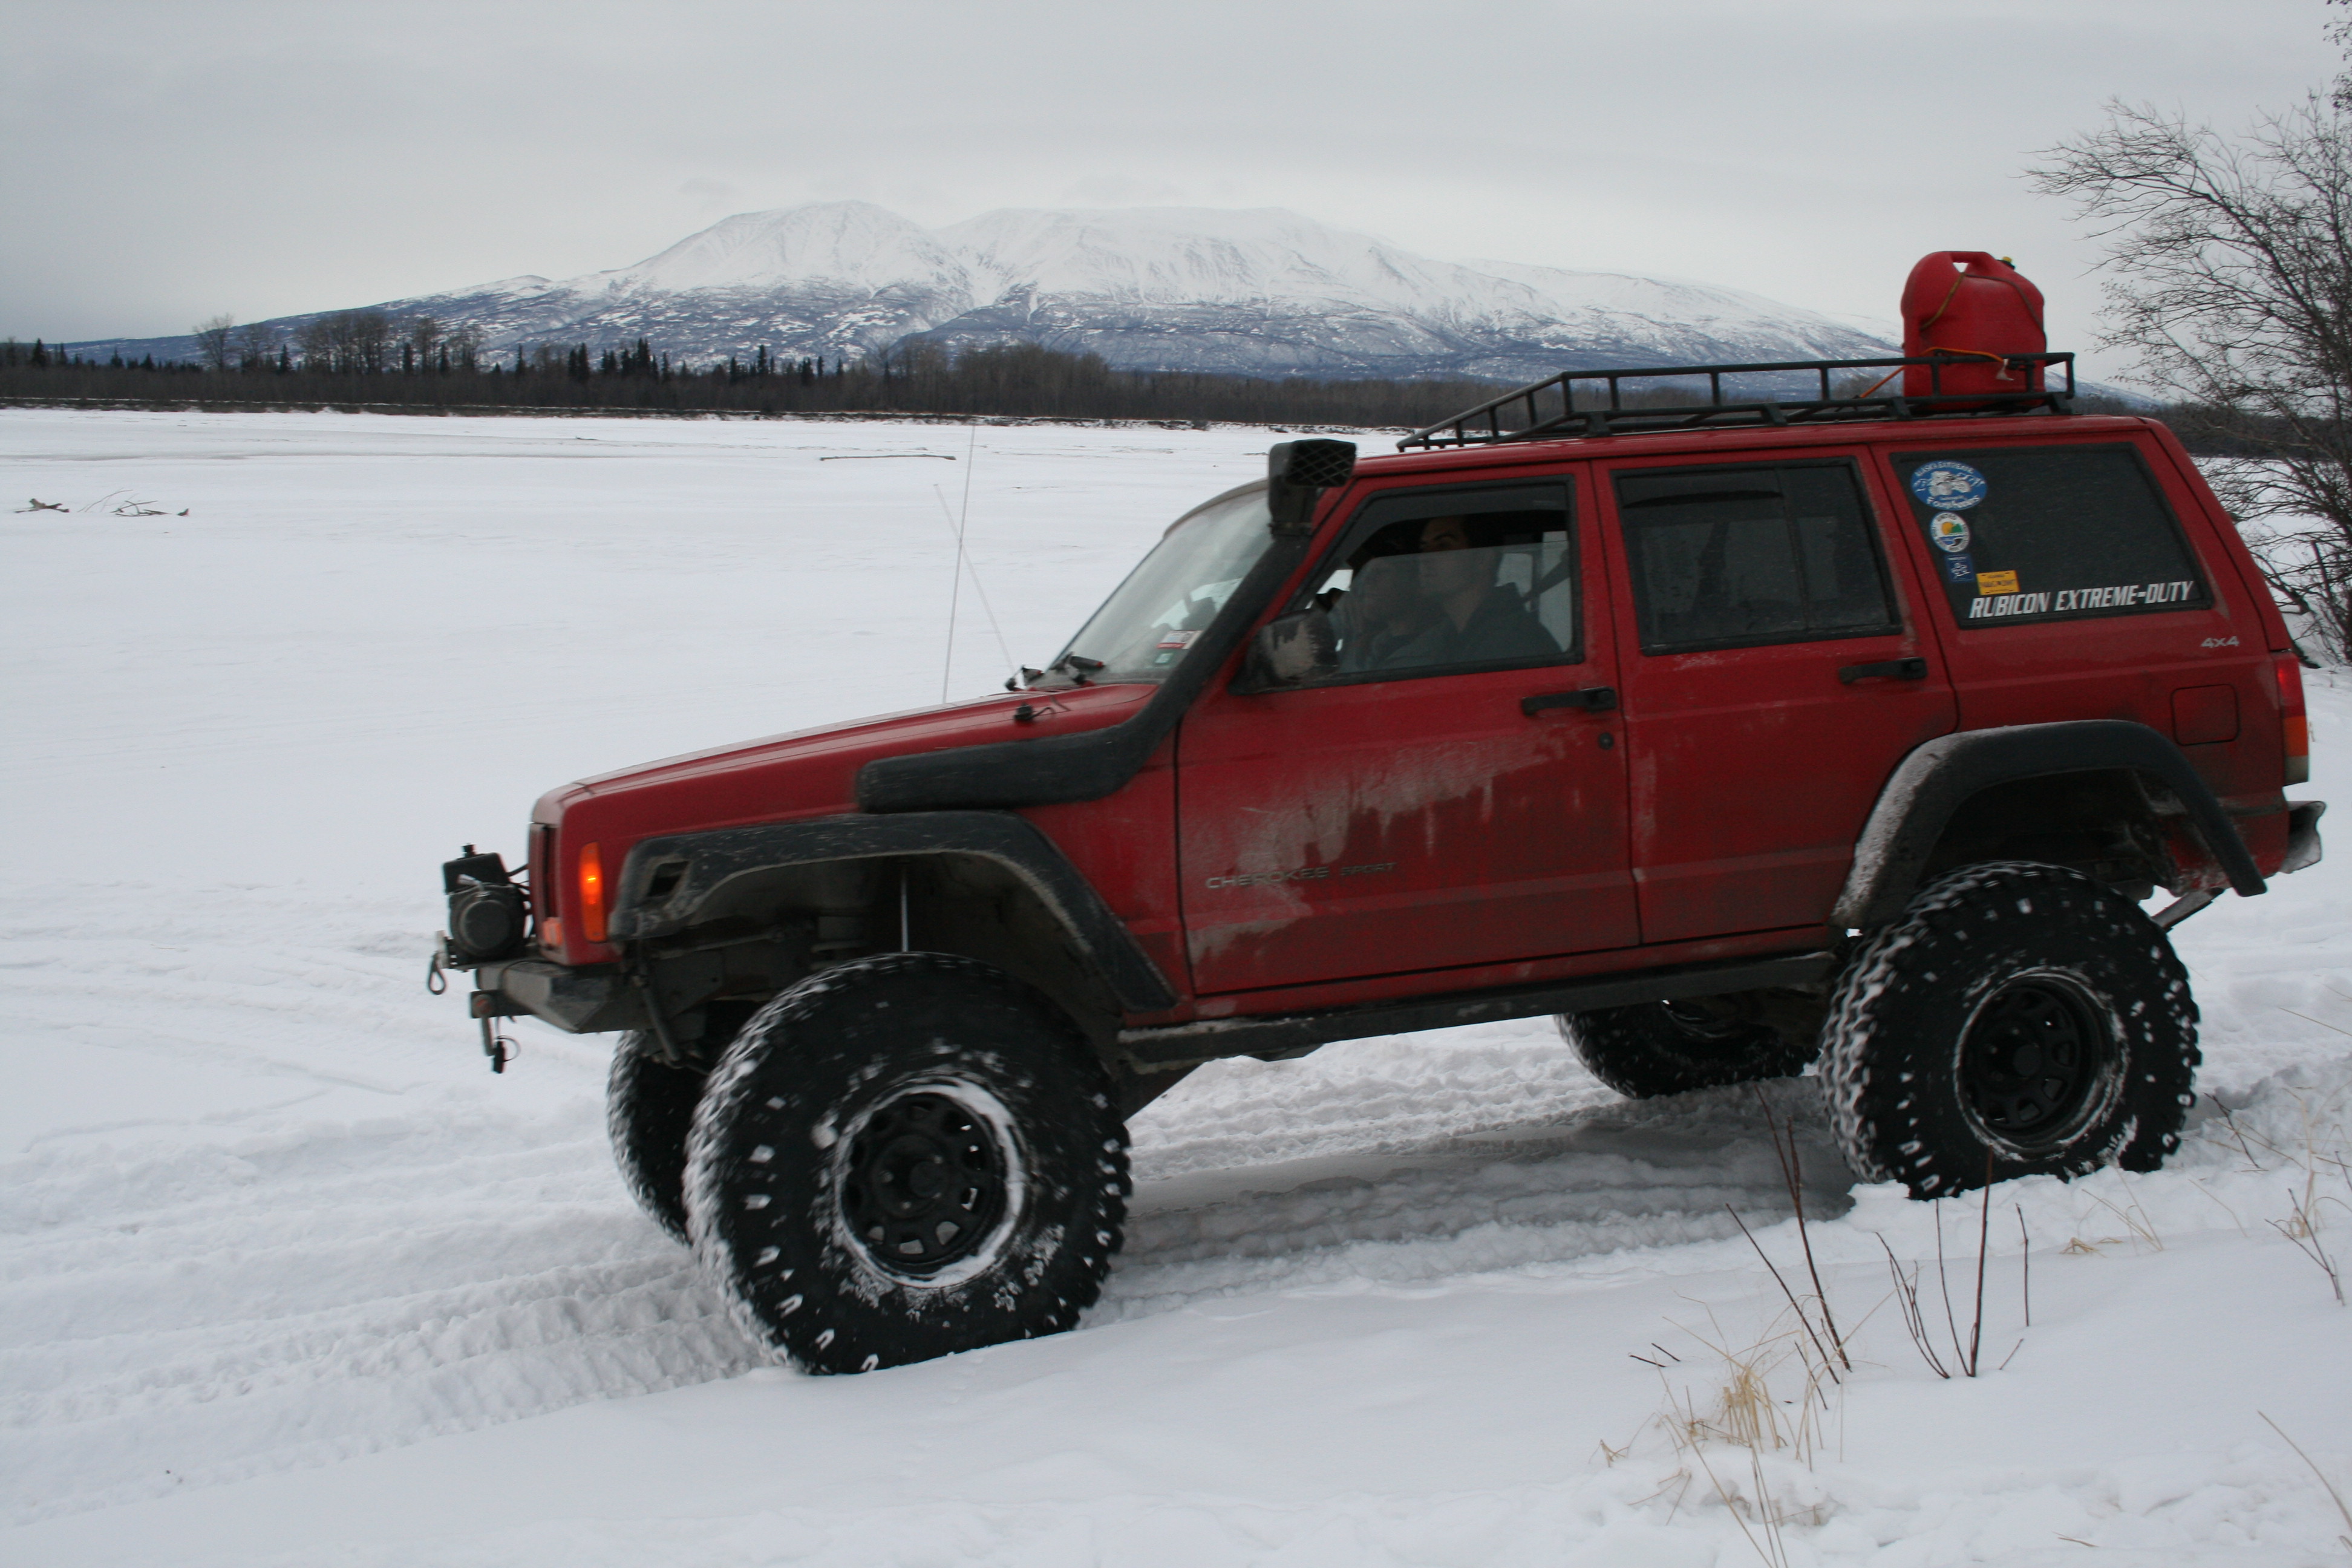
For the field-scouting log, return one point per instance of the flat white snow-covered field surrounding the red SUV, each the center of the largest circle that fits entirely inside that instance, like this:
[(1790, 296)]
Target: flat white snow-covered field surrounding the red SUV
[(290, 1278)]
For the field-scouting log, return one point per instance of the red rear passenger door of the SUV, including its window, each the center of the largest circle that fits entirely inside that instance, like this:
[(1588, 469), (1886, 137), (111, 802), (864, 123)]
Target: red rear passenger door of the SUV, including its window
[(1775, 676)]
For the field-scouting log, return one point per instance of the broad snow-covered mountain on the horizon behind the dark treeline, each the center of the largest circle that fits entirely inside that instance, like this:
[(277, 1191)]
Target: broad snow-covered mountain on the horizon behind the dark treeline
[(1149, 288)]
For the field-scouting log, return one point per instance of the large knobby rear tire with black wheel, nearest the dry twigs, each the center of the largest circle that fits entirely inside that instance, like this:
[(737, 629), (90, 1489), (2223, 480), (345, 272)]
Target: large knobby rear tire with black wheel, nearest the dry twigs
[(2017, 1021)]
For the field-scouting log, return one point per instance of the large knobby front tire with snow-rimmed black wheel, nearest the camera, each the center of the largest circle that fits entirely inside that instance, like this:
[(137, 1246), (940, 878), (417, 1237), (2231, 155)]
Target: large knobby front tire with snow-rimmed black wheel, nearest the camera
[(904, 1158)]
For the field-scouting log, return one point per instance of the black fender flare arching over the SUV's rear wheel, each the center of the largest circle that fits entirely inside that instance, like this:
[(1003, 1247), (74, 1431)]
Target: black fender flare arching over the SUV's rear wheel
[(1937, 777)]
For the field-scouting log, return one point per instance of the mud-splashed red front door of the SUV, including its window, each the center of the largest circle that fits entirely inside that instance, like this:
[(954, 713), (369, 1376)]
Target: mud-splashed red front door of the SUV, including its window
[(1445, 789)]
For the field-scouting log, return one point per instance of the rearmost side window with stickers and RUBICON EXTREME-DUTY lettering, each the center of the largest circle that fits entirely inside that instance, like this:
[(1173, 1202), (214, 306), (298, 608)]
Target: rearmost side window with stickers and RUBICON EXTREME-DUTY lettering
[(2050, 535)]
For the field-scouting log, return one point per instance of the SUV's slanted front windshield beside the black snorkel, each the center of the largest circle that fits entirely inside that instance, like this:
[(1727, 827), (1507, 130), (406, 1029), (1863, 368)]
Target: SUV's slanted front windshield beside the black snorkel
[(1172, 596)]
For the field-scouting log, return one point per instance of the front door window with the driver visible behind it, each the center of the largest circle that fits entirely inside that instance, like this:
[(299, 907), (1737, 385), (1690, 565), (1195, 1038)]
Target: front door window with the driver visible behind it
[(1436, 584)]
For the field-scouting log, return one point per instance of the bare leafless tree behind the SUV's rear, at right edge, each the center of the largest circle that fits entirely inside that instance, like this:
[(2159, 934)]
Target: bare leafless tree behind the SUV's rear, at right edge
[(2233, 290)]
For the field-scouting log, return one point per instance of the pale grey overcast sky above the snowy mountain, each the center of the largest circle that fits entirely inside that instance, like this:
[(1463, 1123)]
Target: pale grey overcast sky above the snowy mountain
[(163, 163)]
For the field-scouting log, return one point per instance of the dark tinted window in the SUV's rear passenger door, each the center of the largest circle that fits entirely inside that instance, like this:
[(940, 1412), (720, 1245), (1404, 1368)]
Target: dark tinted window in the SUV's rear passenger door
[(1746, 556)]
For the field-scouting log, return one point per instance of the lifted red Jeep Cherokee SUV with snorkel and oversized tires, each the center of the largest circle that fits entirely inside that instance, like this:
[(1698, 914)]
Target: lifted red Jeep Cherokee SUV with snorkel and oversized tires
[(1735, 735)]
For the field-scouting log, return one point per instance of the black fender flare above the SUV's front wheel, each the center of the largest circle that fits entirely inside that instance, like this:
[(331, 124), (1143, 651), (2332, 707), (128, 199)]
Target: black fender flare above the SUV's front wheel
[(723, 855)]
